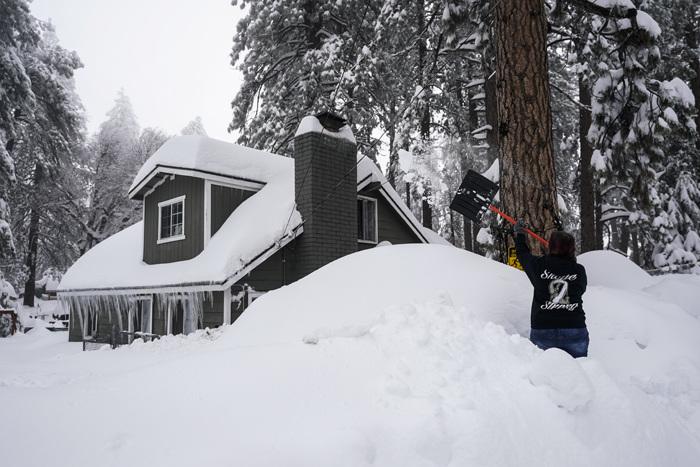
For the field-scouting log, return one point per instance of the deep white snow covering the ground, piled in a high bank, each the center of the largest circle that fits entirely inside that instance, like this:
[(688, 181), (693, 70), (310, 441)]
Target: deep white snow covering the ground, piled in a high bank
[(372, 361)]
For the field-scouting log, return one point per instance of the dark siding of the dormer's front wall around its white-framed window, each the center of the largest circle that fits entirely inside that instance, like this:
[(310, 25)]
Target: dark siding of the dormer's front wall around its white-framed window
[(193, 243)]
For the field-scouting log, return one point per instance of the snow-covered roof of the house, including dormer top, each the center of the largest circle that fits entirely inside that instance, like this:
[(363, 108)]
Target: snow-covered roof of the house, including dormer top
[(245, 239)]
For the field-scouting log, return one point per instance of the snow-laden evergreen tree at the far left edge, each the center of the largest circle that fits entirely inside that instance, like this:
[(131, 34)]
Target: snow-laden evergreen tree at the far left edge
[(41, 124)]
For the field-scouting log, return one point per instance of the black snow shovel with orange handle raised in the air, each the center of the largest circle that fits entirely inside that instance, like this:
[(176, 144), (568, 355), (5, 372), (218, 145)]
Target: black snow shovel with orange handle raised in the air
[(474, 198)]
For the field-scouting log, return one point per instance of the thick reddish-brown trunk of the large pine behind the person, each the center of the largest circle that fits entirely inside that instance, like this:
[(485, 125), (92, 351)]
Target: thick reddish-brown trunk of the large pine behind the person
[(528, 185)]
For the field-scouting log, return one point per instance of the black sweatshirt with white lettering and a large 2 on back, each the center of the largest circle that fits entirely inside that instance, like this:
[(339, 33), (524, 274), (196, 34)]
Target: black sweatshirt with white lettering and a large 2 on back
[(559, 283)]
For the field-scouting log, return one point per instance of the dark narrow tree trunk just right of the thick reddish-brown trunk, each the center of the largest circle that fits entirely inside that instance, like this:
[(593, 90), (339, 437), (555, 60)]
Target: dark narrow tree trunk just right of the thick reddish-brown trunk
[(586, 181)]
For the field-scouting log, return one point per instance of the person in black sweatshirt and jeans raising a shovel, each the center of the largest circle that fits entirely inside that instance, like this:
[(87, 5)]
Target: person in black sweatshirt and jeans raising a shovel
[(557, 317)]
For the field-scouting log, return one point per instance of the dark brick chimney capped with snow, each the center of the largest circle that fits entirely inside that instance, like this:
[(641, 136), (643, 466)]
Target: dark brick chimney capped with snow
[(325, 181)]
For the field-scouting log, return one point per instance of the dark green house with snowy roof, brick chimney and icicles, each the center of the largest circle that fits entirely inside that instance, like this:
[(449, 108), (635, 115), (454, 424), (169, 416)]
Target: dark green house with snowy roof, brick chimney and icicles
[(222, 224)]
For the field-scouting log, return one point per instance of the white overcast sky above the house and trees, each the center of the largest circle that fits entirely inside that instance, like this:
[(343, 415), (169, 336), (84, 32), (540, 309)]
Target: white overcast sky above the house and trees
[(171, 57)]
